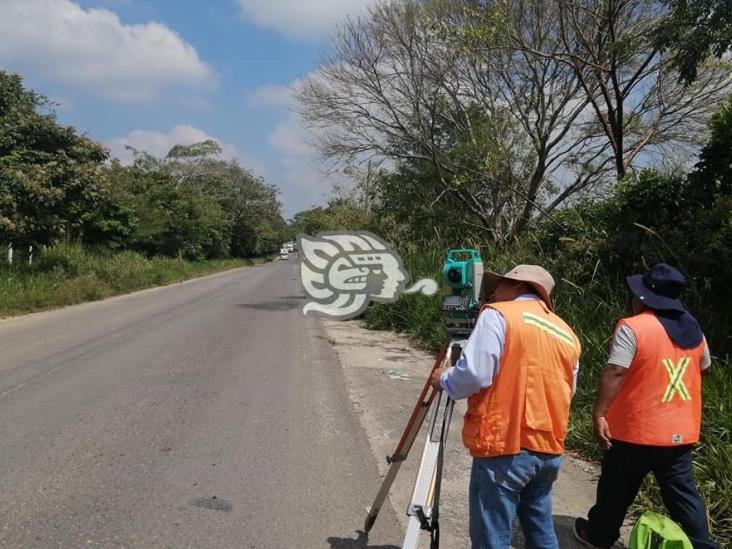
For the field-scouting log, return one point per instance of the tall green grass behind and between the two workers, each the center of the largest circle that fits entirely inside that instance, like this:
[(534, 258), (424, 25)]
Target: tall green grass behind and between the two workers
[(591, 308)]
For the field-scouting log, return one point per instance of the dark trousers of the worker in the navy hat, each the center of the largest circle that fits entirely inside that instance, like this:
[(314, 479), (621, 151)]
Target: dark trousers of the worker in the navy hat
[(624, 467)]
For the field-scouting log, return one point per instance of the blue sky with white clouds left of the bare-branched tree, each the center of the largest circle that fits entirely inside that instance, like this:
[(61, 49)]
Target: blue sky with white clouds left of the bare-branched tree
[(153, 73)]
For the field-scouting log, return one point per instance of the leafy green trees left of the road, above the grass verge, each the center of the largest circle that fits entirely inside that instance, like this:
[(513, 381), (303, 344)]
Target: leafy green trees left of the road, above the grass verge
[(59, 186)]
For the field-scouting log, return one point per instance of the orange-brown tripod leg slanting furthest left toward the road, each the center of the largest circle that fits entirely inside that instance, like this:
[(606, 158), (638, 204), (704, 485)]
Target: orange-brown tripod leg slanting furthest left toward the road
[(405, 443)]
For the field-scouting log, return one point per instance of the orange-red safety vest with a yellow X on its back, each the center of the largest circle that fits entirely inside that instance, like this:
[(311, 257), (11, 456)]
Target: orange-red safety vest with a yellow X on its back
[(659, 402)]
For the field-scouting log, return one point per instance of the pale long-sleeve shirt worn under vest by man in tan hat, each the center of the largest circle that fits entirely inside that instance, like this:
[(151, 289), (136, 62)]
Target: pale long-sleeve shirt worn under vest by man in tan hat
[(481, 358)]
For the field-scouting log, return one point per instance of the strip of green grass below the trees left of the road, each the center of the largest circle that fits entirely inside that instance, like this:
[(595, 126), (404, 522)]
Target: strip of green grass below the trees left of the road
[(68, 274)]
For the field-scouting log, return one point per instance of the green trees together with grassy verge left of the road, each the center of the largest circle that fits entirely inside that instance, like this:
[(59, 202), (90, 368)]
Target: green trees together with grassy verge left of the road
[(77, 226)]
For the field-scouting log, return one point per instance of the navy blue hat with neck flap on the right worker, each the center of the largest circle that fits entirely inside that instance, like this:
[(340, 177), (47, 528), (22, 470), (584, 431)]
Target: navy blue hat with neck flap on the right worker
[(659, 289)]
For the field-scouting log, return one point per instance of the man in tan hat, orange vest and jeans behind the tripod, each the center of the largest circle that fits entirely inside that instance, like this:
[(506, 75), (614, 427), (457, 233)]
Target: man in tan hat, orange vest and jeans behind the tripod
[(518, 371)]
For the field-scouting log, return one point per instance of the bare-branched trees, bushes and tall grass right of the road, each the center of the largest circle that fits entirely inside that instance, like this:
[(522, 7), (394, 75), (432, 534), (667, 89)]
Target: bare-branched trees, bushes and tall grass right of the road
[(593, 138)]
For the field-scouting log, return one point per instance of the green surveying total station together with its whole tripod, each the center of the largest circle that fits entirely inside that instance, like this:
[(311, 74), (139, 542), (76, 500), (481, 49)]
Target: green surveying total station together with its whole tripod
[(462, 276)]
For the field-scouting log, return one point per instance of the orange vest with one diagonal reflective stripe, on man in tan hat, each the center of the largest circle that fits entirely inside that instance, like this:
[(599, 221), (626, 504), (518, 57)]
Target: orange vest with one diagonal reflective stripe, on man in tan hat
[(527, 405)]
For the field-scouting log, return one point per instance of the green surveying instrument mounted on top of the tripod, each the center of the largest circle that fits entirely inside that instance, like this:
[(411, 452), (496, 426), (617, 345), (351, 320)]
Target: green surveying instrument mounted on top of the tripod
[(462, 275)]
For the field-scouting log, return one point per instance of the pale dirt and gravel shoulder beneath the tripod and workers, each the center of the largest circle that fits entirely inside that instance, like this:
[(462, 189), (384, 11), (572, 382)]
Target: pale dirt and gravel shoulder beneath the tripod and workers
[(384, 374)]
